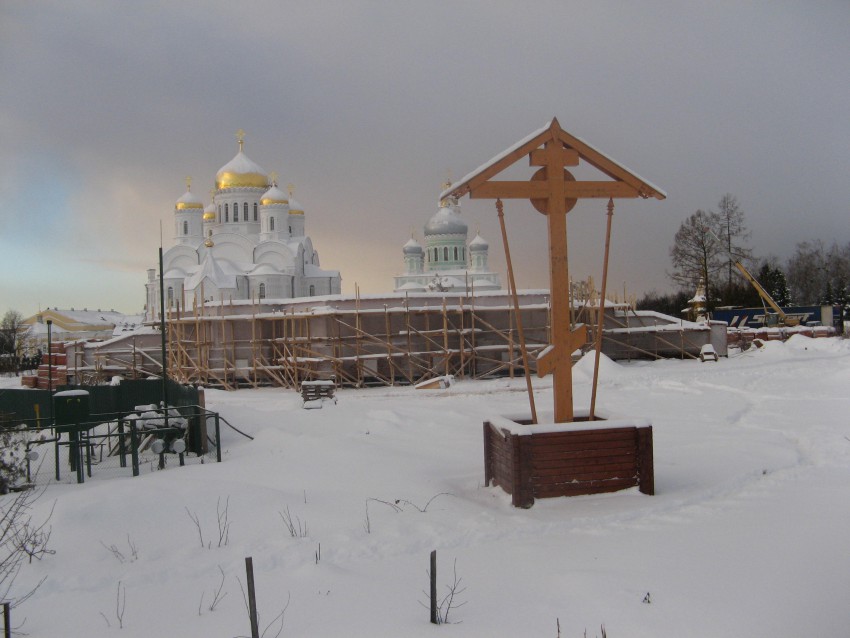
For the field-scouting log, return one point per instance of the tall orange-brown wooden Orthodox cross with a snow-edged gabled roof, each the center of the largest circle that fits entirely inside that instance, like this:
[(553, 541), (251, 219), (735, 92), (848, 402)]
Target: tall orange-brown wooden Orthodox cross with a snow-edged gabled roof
[(554, 192)]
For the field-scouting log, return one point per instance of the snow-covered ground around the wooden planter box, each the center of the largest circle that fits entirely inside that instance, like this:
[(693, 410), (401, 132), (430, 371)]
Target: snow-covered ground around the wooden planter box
[(747, 534)]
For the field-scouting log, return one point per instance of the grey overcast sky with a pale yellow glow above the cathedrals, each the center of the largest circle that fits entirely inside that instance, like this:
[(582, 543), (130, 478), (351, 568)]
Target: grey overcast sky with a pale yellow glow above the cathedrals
[(367, 107)]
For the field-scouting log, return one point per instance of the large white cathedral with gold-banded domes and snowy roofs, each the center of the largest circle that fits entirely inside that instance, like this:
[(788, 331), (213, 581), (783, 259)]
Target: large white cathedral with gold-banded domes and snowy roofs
[(249, 243)]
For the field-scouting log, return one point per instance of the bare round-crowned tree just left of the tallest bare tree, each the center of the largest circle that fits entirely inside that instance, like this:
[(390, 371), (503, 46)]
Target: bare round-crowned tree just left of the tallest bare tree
[(697, 252)]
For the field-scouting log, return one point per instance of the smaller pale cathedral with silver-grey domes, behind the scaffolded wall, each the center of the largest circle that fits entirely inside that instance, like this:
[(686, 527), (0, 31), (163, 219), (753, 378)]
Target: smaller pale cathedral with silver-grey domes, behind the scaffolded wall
[(447, 263)]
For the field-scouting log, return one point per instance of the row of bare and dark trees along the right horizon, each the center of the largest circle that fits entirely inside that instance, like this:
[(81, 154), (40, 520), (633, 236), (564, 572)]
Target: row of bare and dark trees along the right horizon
[(709, 243)]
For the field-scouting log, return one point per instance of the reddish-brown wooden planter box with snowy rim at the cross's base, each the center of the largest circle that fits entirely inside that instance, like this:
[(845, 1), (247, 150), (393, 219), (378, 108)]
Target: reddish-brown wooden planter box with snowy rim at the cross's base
[(546, 461)]
